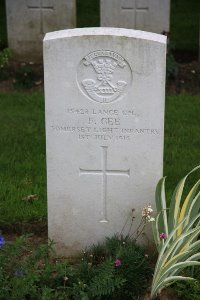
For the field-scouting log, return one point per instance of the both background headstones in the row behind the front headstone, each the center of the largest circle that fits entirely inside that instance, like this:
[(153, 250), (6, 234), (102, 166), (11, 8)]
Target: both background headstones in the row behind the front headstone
[(29, 20)]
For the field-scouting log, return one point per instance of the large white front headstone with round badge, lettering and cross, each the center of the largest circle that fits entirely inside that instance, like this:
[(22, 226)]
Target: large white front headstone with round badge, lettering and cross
[(104, 94)]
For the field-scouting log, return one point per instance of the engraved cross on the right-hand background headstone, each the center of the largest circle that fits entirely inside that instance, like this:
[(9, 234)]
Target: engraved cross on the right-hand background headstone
[(138, 10)]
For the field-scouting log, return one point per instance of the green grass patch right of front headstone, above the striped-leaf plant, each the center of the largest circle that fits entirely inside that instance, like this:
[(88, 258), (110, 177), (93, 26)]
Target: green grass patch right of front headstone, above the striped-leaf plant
[(182, 136)]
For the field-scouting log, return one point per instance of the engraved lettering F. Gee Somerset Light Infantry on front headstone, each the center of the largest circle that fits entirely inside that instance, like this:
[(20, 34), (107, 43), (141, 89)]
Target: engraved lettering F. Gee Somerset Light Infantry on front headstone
[(105, 125)]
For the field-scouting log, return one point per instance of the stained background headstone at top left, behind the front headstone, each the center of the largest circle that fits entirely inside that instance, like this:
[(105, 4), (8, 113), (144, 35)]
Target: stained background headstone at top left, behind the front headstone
[(29, 20)]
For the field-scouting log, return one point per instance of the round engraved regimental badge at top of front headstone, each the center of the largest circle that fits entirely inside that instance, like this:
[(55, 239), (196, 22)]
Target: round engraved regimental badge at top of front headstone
[(104, 76)]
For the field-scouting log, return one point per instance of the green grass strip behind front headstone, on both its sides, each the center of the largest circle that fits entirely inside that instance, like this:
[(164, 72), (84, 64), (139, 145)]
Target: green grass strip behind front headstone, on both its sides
[(22, 150)]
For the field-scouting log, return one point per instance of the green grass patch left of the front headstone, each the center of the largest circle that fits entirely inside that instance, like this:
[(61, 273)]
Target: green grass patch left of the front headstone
[(22, 157)]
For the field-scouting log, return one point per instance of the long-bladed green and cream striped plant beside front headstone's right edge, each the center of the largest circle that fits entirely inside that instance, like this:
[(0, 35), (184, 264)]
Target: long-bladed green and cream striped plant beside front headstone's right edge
[(176, 234)]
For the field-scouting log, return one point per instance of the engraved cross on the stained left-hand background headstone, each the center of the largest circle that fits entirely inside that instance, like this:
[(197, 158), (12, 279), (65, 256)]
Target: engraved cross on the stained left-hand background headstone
[(41, 6)]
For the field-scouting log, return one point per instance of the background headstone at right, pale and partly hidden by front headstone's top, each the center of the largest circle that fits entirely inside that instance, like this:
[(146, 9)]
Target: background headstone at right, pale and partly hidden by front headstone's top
[(147, 15)]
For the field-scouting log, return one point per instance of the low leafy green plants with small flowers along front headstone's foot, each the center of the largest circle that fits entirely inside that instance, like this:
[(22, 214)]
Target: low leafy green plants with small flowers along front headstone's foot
[(116, 269)]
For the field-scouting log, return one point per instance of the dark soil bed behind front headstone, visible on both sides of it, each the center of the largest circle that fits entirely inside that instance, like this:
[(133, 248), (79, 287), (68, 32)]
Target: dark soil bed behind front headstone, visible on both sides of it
[(29, 78)]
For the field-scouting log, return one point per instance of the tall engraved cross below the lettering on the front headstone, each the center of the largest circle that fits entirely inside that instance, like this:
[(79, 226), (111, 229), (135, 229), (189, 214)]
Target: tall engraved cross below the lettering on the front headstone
[(104, 172)]
